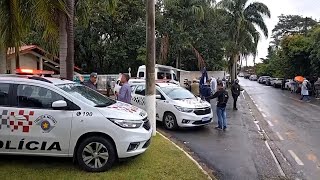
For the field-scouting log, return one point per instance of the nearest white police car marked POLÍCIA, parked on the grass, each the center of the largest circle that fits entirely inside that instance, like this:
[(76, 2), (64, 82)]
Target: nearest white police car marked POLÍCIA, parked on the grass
[(46, 116)]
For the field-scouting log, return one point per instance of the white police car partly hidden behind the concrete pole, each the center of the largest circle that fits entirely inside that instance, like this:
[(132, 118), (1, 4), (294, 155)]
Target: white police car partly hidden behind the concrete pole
[(175, 106)]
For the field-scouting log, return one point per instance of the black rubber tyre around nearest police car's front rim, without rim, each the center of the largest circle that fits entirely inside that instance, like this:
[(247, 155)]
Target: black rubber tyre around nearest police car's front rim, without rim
[(109, 146)]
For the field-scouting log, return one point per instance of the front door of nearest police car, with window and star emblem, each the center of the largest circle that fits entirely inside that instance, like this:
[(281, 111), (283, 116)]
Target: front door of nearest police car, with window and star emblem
[(36, 127)]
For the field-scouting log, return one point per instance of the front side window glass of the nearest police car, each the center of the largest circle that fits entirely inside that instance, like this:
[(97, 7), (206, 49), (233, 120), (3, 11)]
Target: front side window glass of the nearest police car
[(36, 97)]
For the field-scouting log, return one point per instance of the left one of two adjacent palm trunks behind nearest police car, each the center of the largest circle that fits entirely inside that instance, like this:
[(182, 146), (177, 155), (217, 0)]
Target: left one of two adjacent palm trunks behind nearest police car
[(63, 44)]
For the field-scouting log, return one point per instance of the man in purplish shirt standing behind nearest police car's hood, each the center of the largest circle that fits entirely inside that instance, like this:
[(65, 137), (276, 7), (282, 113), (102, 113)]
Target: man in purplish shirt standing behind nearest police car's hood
[(124, 94)]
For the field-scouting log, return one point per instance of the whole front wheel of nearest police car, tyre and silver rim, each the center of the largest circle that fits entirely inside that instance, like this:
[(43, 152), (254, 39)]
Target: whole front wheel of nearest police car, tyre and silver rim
[(96, 154)]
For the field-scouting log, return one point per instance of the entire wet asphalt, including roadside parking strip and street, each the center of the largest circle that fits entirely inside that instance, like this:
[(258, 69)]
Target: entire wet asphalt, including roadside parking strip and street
[(272, 136)]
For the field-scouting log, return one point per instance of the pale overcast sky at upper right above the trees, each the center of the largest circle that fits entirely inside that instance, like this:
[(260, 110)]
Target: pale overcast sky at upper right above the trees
[(308, 8)]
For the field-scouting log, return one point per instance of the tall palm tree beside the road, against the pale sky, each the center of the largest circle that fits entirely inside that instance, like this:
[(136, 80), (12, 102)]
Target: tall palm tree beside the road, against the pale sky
[(243, 18)]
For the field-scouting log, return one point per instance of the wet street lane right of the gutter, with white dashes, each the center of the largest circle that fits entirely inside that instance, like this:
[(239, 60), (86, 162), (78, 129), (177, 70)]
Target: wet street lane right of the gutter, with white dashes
[(295, 124)]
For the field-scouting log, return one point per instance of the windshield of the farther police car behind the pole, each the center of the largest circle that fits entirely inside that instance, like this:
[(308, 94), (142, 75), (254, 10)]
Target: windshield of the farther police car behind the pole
[(177, 93)]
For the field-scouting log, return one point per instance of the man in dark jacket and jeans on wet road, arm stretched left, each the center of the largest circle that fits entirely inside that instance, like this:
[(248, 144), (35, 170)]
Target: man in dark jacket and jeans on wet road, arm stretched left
[(223, 98)]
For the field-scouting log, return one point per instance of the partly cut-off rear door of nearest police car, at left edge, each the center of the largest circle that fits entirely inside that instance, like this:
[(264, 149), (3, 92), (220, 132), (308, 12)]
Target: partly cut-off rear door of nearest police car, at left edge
[(5, 104)]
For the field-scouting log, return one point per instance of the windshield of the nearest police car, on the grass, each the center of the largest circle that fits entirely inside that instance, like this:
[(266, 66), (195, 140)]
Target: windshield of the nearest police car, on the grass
[(87, 95)]
